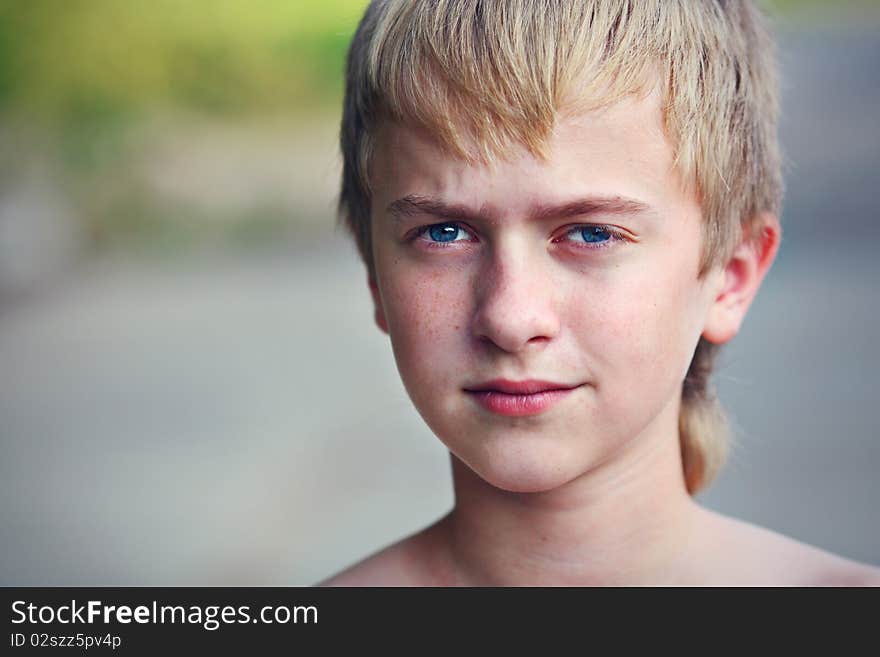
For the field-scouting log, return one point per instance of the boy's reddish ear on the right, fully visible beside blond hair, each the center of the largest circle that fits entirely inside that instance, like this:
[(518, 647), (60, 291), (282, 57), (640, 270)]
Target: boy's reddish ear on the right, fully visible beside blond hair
[(742, 277)]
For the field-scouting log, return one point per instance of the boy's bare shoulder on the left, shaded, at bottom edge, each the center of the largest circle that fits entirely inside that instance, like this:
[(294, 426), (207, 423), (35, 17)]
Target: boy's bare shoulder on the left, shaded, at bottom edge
[(412, 561)]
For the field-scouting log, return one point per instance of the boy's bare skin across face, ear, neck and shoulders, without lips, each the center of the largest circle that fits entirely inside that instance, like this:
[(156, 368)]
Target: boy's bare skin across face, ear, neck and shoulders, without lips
[(588, 491)]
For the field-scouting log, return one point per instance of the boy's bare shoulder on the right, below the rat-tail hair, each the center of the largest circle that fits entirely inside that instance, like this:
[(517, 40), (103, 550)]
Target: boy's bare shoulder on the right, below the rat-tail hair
[(755, 556)]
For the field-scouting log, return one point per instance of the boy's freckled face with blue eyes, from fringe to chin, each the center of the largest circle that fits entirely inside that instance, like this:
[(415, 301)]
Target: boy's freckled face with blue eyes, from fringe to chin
[(542, 314)]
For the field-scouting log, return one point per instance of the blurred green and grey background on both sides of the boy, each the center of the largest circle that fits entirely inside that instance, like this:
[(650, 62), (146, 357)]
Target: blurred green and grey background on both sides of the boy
[(191, 387)]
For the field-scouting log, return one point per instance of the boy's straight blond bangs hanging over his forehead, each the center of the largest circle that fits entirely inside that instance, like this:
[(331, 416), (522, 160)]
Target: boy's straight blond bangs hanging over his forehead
[(481, 76)]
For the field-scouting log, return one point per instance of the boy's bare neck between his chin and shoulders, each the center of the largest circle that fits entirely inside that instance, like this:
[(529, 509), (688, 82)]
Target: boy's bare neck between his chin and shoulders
[(625, 522)]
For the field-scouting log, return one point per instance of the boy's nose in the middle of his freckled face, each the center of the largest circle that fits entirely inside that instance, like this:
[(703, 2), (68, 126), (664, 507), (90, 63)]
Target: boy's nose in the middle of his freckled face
[(515, 306)]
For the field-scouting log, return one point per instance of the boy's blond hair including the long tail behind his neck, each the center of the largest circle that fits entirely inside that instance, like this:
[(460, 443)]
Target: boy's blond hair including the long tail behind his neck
[(498, 73)]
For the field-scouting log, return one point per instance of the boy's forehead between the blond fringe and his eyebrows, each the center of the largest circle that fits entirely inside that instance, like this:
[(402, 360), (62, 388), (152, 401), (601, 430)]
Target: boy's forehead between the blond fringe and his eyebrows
[(618, 150)]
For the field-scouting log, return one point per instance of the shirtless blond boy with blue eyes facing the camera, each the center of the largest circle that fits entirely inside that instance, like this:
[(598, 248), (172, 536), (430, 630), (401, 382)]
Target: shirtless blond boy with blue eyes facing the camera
[(565, 207)]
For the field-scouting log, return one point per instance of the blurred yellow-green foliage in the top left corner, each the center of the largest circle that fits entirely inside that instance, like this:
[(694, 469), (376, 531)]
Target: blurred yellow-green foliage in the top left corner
[(213, 56)]
